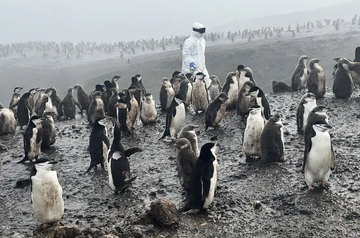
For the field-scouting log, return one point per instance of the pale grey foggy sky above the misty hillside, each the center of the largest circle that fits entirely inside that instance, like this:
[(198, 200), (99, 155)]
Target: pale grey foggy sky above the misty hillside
[(118, 20)]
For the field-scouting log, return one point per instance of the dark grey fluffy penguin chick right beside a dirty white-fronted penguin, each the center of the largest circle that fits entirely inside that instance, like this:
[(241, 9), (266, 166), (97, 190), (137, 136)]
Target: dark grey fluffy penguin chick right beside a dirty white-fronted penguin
[(272, 141)]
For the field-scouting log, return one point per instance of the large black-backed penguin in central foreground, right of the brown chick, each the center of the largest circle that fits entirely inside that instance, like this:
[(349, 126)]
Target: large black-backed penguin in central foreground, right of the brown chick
[(203, 180)]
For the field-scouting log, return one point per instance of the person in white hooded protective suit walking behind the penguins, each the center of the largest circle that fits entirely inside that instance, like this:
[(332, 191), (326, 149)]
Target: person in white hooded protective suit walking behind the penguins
[(193, 52)]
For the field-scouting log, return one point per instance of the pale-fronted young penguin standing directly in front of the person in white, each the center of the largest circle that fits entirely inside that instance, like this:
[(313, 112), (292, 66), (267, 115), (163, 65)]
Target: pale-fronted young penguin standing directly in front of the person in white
[(199, 95)]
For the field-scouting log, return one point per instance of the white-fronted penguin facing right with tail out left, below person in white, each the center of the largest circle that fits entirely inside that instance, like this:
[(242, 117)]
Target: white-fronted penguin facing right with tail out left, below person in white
[(175, 119)]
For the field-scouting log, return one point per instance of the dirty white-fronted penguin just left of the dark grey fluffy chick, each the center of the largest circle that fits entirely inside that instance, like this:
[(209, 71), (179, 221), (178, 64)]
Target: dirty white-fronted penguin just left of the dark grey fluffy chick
[(252, 134)]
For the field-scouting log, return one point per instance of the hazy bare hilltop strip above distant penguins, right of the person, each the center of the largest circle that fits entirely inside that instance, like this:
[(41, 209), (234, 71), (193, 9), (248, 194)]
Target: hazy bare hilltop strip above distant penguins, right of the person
[(343, 11)]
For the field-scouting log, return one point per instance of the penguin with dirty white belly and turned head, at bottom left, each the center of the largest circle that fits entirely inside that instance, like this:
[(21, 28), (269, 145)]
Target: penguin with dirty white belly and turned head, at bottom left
[(46, 192)]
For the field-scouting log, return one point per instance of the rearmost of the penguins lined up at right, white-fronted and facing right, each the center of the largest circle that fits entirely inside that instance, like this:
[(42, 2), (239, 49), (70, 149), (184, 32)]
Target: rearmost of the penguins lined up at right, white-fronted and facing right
[(306, 105)]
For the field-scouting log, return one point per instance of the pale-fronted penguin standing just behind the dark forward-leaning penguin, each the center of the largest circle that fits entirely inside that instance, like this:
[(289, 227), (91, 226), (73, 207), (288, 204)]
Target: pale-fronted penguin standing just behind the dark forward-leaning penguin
[(231, 88)]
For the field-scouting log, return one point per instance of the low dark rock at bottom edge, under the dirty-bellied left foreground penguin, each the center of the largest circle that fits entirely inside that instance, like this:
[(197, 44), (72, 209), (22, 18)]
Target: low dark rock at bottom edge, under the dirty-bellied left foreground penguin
[(69, 231)]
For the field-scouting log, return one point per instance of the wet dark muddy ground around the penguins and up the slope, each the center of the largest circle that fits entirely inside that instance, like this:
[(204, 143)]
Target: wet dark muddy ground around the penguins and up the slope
[(288, 209)]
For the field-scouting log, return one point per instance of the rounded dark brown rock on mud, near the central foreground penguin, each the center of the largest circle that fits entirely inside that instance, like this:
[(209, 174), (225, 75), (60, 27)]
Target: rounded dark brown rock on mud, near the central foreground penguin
[(164, 213)]
